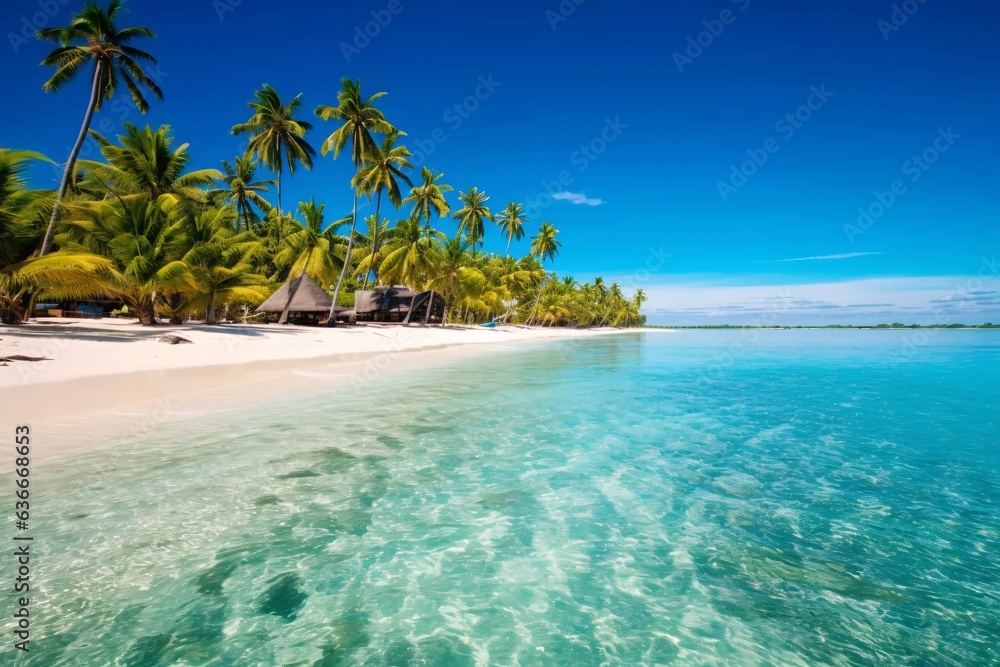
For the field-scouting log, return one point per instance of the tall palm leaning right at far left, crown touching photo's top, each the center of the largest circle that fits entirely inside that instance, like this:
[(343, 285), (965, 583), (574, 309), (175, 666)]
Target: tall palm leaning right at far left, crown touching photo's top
[(107, 46)]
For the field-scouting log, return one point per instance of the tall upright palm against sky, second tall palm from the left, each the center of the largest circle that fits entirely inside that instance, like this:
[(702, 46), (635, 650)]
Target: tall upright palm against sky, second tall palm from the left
[(277, 136)]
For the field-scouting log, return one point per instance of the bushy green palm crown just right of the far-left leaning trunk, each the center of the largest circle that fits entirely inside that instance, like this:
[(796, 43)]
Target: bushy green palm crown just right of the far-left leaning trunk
[(145, 165)]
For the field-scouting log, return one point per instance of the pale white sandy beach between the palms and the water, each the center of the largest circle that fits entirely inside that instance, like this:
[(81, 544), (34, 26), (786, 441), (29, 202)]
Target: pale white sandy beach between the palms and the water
[(116, 376)]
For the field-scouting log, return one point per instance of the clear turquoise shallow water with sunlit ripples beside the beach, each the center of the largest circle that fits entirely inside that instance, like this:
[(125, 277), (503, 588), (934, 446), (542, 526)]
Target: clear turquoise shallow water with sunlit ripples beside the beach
[(689, 499)]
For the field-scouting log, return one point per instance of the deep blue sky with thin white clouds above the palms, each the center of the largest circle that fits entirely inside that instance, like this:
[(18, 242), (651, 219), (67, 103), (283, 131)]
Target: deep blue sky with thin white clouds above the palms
[(693, 149)]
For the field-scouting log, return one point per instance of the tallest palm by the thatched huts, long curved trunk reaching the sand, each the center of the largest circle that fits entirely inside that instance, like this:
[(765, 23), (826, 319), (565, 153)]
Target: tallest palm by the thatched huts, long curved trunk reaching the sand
[(360, 118)]
